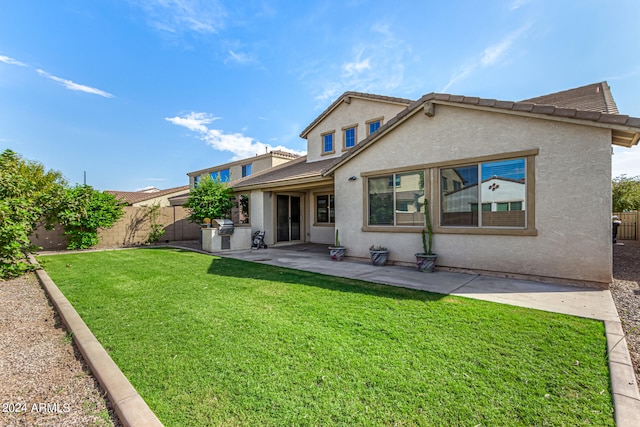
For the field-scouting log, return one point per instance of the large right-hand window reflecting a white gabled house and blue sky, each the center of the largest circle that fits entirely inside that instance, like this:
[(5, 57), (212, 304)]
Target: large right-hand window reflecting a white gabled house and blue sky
[(499, 188)]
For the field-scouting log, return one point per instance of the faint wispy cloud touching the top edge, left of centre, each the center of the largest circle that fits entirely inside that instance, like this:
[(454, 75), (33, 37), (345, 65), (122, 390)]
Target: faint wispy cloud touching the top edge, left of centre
[(173, 16)]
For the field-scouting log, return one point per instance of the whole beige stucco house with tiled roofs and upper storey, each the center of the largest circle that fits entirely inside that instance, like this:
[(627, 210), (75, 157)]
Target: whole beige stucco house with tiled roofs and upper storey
[(516, 188)]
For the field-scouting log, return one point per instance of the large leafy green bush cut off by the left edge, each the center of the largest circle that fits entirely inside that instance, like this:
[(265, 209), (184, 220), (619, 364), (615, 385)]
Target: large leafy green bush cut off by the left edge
[(29, 196)]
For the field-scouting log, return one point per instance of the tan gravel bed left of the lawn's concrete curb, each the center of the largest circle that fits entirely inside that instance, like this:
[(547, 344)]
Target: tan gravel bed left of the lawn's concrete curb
[(43, 380)]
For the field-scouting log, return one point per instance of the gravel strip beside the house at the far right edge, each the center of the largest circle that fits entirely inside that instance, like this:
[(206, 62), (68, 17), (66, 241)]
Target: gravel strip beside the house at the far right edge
[(626, 295)]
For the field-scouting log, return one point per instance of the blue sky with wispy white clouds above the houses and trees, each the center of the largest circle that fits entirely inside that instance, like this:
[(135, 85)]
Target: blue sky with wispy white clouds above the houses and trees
[(139, 92)]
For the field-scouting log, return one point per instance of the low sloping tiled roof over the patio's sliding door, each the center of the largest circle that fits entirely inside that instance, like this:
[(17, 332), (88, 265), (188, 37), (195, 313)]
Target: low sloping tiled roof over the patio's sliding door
[(295, 171)]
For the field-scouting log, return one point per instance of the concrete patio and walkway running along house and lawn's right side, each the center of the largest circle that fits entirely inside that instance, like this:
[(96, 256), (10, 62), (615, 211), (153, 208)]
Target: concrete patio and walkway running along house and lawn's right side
[(582, 302)]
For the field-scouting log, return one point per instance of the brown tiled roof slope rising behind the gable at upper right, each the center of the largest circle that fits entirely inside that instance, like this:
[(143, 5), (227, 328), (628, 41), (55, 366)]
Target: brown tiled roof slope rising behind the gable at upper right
[(593, 97)]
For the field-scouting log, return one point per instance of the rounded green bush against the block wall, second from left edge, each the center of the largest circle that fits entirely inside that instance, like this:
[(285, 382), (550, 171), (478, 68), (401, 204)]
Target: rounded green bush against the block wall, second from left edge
[(84, 211)]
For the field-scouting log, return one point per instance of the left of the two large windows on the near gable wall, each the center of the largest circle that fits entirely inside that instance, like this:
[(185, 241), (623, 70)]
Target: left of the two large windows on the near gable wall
[(396, 199)]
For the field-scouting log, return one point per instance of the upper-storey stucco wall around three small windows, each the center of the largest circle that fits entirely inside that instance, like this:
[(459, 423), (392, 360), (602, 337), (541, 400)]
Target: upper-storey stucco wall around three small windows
[(358, 112)]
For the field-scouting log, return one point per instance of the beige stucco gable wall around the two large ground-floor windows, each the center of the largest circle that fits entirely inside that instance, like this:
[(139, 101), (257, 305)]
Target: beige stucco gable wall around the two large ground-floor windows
[(572, 180)]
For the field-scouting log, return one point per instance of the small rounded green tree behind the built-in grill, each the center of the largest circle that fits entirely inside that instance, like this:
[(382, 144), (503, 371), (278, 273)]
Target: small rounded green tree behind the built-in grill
[(210, 199)]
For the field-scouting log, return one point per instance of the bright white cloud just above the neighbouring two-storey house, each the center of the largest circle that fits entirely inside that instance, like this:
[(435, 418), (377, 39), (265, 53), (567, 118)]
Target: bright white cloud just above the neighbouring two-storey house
[(240, 145)]
